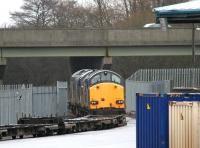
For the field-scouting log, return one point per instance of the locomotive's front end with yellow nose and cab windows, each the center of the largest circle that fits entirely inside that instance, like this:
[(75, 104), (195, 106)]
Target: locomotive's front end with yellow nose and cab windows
[(106, 92)]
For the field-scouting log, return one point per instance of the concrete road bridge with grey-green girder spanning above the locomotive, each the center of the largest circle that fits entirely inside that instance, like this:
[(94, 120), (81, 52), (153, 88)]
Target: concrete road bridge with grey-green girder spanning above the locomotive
[(96, 43)]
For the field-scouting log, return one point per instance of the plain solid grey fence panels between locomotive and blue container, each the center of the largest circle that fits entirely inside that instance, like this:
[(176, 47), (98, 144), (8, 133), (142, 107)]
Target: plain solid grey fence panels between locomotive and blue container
[(133, 87)]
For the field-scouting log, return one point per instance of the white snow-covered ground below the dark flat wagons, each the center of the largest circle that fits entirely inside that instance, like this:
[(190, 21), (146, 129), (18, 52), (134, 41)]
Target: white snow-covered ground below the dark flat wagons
[(122, 137)]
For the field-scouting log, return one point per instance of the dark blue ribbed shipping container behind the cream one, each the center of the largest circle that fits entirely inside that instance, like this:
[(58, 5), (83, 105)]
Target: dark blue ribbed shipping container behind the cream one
[(152, 118)]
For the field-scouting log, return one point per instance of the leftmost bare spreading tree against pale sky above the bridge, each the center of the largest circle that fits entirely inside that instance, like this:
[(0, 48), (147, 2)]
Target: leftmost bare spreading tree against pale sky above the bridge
[(35, 13)]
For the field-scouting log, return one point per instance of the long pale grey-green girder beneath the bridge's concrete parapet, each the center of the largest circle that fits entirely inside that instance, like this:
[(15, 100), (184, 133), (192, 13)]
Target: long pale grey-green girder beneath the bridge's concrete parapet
[(170, 50)]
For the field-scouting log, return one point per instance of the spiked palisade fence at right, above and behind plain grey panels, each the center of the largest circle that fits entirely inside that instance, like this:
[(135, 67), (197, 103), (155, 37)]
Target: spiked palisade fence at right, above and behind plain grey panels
[(181, 77)]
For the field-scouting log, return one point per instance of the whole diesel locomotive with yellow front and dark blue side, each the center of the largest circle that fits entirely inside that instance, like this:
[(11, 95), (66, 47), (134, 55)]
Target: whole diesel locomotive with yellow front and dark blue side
[(96, 92)]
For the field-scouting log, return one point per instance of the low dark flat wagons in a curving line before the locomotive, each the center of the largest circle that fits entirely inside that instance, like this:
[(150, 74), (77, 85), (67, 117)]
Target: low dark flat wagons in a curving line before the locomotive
[(39, 127)]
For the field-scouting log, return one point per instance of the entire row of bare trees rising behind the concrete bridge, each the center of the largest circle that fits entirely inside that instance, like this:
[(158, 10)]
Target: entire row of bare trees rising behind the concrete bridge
[(102, 13)]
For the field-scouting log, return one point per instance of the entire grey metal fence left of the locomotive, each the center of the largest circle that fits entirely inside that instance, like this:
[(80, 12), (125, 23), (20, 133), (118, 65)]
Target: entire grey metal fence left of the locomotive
[(27, 101)]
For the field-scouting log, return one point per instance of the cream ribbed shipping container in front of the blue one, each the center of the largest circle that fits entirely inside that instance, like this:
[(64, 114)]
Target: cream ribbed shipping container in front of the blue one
[(184, 124)]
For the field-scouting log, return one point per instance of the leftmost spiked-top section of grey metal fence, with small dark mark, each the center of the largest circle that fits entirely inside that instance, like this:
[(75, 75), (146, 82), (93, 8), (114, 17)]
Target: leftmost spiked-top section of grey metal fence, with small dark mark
[(15, 101)]
